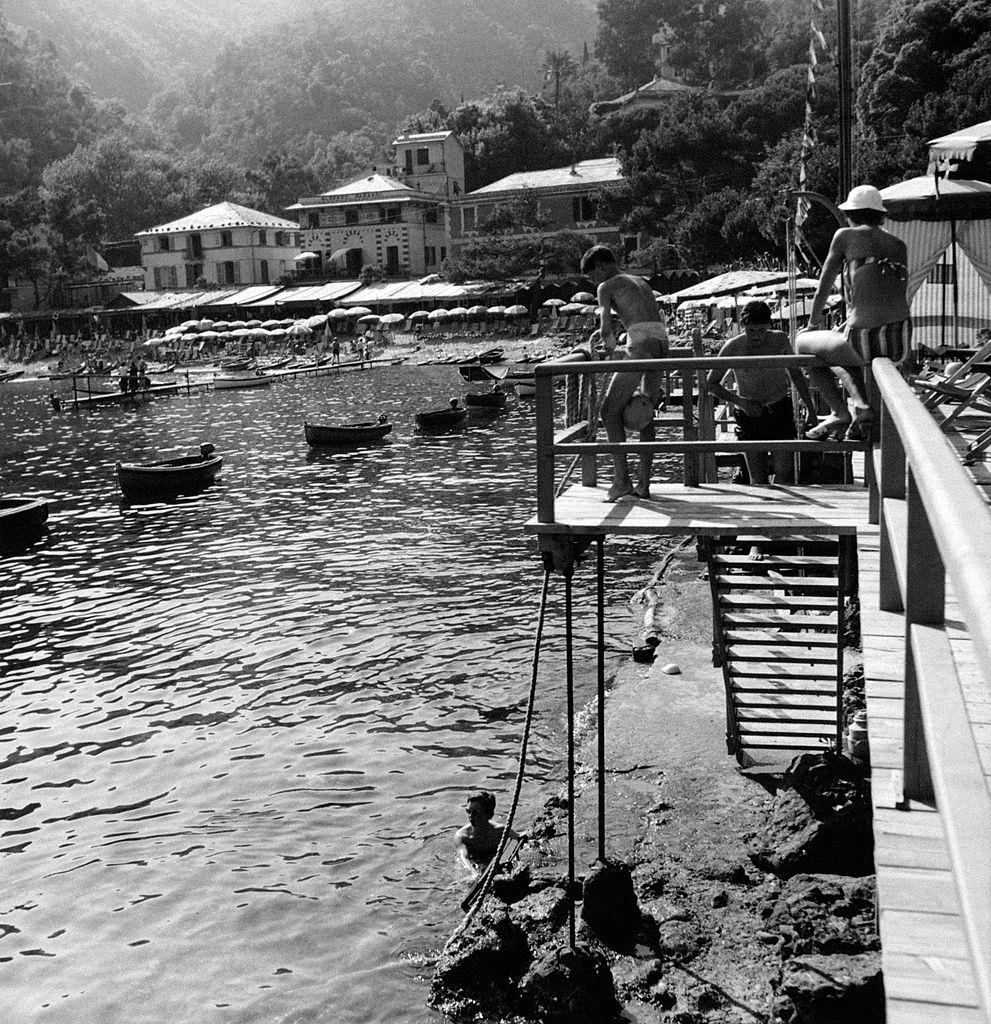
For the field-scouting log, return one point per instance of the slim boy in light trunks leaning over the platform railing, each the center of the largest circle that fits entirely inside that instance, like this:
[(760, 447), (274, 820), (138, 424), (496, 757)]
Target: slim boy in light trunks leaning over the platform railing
[(630, 399)]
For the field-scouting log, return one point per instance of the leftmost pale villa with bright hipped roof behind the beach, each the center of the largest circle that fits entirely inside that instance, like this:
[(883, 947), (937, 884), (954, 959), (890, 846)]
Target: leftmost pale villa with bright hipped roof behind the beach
[(226, 244)]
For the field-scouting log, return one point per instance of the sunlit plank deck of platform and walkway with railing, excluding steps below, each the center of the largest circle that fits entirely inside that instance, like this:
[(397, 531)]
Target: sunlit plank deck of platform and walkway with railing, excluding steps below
[(925, 587)]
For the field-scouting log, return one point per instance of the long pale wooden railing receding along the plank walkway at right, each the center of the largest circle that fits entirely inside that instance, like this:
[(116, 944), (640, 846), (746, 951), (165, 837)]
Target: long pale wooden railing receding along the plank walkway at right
[(936, 529)]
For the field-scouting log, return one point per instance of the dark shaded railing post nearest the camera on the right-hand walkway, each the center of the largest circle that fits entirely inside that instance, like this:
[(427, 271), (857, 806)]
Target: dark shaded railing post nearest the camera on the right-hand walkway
[(925, 605)]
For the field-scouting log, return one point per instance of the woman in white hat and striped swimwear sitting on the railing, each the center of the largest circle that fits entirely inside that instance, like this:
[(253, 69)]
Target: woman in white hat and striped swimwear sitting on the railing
[(875, 265)]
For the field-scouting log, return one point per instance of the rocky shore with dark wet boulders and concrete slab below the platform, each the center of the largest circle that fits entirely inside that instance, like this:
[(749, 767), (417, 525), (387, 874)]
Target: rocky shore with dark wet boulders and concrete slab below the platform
[(728, 897)]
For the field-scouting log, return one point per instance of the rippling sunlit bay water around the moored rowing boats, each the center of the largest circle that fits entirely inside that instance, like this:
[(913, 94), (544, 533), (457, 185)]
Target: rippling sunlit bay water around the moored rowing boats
[(238, 730)]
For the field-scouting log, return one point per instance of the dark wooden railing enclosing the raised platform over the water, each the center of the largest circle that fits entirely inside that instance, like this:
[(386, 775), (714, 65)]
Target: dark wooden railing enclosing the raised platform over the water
[(699, 443)]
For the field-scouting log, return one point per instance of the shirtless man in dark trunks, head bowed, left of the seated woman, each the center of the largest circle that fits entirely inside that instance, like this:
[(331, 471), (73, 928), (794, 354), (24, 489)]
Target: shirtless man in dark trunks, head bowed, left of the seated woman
[(763, 396)]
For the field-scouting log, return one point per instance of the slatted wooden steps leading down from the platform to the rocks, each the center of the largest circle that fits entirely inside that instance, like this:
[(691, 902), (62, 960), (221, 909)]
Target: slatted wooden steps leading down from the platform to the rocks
[(779, 635)]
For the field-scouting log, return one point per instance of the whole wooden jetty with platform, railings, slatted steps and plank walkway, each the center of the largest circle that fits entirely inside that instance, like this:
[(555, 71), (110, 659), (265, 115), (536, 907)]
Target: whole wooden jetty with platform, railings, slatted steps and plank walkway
[(911, 534)]
